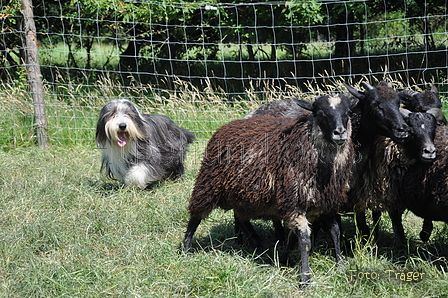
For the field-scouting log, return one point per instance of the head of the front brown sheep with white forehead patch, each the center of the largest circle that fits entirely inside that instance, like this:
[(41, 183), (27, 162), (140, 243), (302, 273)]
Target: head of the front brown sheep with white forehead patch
[(331, 115)]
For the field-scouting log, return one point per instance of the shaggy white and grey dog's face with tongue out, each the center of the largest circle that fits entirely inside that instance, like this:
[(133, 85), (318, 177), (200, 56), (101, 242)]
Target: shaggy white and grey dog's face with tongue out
[(119, 122)]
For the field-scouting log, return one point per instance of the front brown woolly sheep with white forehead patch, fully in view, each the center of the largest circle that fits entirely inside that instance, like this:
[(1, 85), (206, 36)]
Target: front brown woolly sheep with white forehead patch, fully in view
[(277, 168)]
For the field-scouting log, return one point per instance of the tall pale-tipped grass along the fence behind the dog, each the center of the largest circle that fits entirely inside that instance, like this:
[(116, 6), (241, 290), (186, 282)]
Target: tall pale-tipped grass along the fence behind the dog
[(72, 110)]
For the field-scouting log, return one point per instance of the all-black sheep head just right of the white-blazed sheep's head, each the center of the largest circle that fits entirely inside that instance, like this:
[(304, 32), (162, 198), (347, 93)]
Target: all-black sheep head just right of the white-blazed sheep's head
[(380, 110)]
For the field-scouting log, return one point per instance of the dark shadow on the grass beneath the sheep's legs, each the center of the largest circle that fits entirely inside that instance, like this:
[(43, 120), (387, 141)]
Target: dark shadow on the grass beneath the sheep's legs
[(222, 237)]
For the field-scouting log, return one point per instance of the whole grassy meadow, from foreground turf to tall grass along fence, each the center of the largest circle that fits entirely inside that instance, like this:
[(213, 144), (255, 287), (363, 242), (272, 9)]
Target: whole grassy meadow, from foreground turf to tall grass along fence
[(68, 231)]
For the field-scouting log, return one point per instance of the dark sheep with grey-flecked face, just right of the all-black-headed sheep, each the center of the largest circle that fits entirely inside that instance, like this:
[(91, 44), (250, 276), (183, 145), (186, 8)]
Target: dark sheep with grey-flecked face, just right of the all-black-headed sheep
[(388, 163)]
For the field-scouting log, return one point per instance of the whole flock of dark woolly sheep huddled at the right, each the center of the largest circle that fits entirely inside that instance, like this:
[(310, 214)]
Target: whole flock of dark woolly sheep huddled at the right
[(299, 163)]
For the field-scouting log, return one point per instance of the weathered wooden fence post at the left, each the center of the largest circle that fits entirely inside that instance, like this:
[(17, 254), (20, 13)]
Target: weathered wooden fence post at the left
[(34, 74)]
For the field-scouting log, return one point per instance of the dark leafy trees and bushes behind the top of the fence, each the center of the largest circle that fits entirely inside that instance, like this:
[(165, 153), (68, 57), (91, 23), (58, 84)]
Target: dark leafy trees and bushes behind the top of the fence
[(191, 38)]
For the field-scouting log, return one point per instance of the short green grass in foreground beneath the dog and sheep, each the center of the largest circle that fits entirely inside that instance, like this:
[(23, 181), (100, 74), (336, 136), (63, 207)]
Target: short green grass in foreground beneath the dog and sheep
[(68, 231)]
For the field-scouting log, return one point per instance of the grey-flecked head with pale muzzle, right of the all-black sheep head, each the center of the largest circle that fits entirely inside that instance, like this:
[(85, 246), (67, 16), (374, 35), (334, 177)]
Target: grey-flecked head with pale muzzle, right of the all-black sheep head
[(422, 133)]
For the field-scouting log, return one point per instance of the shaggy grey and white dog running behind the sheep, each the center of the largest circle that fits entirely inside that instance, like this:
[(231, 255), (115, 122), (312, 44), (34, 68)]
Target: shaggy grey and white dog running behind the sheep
[(140, 149)]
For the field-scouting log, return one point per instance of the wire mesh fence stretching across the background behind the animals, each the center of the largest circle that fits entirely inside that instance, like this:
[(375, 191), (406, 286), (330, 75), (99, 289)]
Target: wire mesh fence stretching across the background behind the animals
[(205, 63)]
